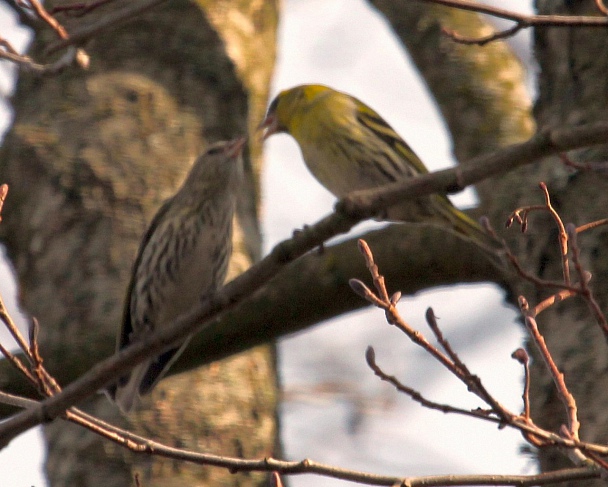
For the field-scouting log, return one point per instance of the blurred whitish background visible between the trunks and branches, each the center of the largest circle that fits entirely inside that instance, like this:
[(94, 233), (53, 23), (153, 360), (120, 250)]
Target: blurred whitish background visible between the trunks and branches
[(334, 410)]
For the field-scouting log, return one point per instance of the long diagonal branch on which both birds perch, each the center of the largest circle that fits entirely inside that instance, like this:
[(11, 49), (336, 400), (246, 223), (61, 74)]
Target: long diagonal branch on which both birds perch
[(349, 212)]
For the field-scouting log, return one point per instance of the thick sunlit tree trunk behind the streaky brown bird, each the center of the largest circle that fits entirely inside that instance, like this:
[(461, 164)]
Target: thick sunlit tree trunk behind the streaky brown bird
[(89, 159)]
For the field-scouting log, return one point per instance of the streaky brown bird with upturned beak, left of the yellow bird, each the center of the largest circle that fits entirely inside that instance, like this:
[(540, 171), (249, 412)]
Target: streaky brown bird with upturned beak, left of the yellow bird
[(182, 259)]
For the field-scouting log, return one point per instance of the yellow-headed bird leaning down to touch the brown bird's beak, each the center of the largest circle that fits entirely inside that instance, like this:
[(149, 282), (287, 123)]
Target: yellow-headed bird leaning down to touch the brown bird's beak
[(347, 146)]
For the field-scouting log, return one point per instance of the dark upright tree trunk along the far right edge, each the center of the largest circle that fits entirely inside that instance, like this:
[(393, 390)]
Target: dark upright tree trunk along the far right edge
[(573, 88)]
